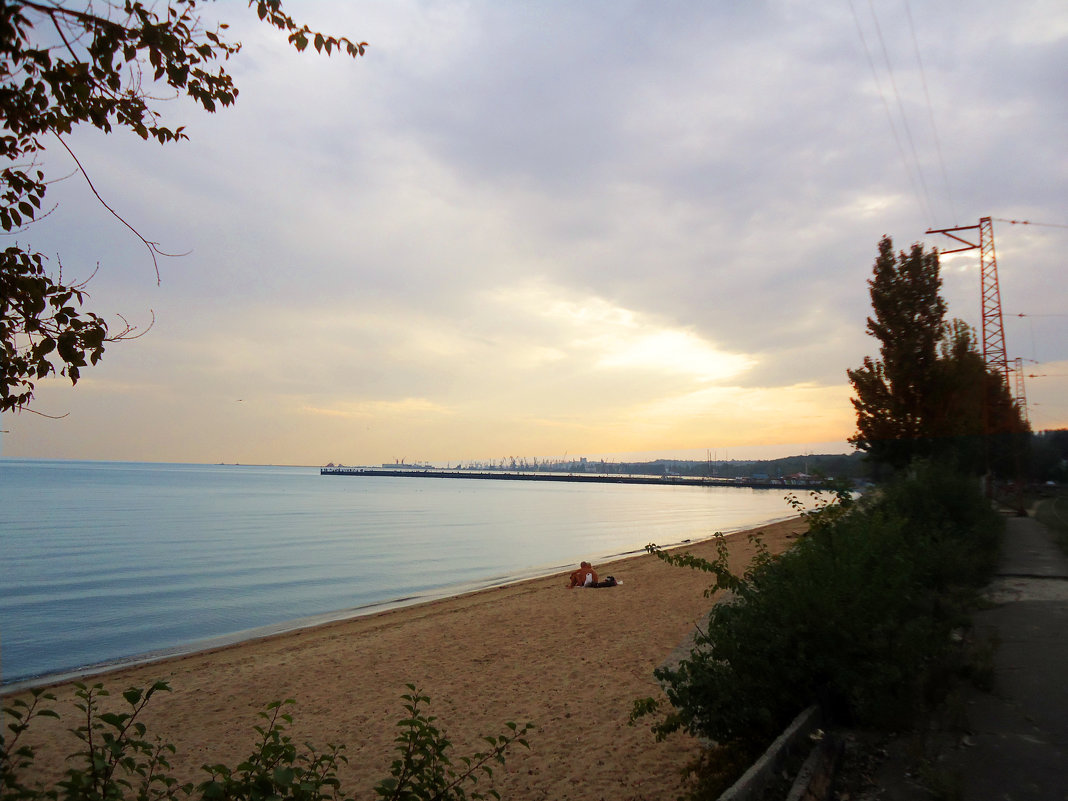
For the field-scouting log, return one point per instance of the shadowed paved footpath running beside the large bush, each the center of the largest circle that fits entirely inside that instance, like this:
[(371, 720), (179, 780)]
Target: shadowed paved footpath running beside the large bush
[(1018, 746)]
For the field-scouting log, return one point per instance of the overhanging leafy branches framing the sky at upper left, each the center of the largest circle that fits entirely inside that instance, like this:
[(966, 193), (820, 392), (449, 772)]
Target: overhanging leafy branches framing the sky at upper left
[(64, 66)]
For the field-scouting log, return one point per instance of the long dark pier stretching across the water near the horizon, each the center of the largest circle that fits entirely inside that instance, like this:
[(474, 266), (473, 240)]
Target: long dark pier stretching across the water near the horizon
[(683, 481)]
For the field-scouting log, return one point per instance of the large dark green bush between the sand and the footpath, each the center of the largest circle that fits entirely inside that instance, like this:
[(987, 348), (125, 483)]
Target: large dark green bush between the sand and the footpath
[(855, 618)]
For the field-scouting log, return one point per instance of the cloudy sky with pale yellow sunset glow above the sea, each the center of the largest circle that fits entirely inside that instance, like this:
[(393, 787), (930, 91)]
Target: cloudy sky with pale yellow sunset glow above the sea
[(612, 230)]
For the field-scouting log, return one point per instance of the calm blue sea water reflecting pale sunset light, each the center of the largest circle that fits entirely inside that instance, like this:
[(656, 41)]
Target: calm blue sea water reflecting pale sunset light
[(111, 562)]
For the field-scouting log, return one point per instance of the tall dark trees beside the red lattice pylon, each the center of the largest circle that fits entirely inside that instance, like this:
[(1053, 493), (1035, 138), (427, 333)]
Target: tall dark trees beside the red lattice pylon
[(930, 395)]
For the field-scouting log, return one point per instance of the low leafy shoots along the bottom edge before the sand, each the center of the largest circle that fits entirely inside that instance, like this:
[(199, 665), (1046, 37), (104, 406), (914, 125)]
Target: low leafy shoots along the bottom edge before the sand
[(119, 763)]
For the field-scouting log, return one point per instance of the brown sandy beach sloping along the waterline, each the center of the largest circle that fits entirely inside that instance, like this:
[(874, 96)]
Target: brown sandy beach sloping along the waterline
[(571, 662)]
